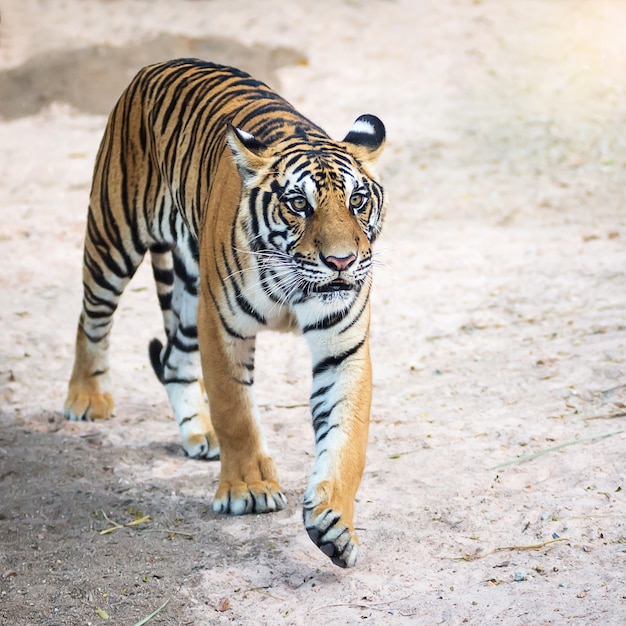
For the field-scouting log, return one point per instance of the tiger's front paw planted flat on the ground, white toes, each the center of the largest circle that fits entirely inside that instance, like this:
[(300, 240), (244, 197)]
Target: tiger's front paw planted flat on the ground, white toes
[(240, 498)]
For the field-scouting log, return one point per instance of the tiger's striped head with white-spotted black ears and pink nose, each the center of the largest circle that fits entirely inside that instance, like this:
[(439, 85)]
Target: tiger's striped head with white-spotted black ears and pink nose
[(311, 210)]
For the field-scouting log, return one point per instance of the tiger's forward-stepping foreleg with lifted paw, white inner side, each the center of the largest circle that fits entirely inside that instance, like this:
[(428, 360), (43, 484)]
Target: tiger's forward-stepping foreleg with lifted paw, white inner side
[(340, 406)]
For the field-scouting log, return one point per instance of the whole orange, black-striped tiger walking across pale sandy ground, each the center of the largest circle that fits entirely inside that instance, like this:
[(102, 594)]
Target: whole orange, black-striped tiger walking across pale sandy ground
[(254, 219)]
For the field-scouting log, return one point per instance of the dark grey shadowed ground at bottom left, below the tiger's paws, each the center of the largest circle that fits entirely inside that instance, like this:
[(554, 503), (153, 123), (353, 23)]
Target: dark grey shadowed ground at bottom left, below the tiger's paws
[(59, 491)]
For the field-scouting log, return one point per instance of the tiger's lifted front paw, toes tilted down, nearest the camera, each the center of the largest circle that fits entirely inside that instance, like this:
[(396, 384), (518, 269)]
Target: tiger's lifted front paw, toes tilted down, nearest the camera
[(332, 534)]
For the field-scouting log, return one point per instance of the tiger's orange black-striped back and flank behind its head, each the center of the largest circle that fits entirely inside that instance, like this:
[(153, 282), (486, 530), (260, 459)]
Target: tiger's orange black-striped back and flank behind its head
[(169, 130)]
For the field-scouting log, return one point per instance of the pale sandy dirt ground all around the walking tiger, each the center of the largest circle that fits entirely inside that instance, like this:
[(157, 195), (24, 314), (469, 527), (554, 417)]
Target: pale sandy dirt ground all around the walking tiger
[(495, 490)]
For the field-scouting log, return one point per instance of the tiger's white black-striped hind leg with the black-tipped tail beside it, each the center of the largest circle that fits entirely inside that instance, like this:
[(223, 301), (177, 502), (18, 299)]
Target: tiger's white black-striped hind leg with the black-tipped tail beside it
[(177, 364)]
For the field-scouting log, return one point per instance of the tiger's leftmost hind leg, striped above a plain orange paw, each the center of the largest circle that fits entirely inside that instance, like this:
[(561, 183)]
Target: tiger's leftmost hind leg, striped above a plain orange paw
[(107, 269)]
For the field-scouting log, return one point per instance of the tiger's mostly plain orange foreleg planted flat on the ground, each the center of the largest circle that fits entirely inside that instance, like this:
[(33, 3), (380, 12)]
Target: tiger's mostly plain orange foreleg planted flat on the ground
[(248, 477)]
